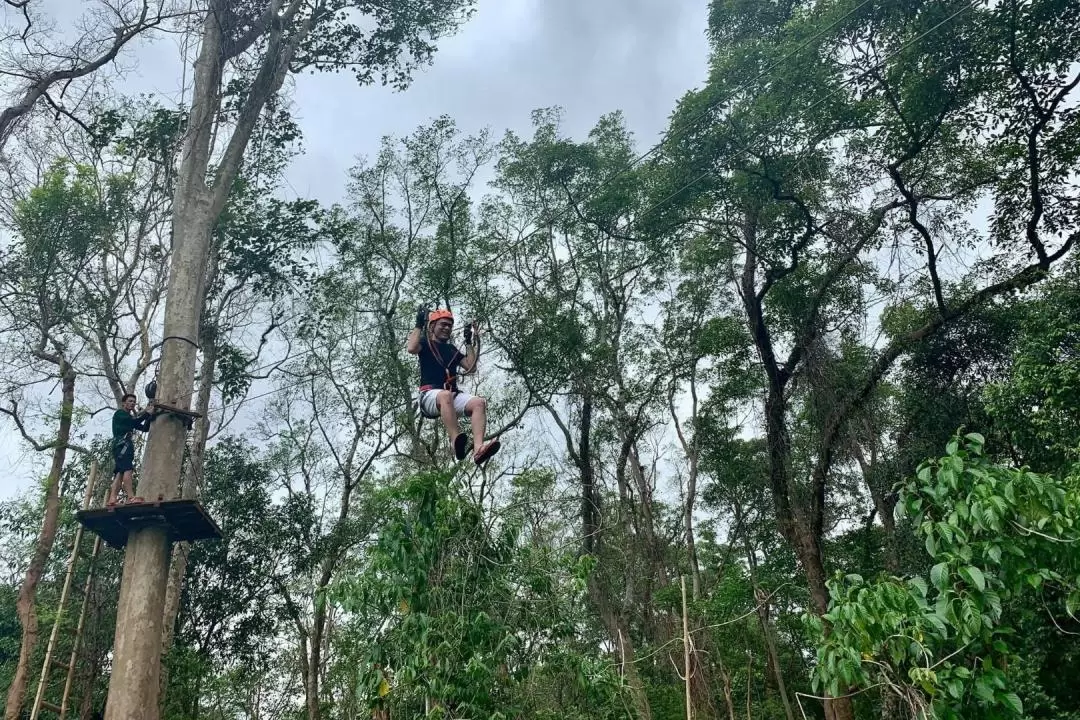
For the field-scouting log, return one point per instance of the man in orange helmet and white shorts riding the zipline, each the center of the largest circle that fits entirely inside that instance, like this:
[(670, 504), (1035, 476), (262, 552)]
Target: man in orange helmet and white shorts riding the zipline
[(440, 398)]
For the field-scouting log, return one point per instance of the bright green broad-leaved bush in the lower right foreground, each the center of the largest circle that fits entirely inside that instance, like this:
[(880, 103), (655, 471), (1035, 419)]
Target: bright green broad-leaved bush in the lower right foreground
[(1003, 542)]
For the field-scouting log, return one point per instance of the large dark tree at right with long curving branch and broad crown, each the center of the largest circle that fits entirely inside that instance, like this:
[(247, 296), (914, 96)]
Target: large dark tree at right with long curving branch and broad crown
[(869, 132)]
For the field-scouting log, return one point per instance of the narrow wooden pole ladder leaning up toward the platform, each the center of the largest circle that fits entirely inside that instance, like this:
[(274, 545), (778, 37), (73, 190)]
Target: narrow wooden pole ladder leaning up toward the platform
[(52, 661)]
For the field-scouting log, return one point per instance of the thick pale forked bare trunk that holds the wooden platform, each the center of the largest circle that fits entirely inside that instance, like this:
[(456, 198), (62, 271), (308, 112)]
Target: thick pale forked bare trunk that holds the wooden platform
[(137, 676)]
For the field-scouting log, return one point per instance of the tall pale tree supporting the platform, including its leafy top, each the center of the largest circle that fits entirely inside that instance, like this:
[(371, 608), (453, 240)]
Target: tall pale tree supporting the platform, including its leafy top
[(261, 45)]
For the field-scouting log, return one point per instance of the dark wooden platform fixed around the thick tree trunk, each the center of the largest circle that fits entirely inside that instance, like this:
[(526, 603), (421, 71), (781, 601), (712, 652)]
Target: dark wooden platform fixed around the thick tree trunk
[(184, 520)]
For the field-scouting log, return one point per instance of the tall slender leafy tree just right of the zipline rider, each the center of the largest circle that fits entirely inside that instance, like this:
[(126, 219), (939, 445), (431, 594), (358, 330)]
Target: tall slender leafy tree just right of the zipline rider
[(575, 335)]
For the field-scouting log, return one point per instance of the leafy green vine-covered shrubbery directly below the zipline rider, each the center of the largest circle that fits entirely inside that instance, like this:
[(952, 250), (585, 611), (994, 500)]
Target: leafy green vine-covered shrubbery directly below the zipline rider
[(468, 613)]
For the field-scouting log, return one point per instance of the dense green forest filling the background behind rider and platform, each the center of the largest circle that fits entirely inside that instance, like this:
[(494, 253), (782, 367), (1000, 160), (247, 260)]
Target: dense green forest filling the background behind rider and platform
[(790, 402)]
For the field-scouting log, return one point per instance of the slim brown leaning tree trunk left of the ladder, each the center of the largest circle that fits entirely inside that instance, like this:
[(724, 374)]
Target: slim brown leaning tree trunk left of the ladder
[(25, 605)]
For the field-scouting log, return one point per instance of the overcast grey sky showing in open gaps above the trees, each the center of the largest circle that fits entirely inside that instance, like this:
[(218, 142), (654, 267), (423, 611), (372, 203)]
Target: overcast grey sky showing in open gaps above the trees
[(588, 57)]
